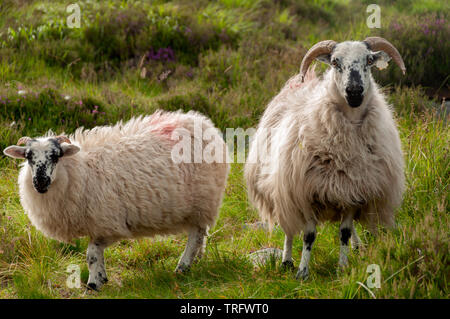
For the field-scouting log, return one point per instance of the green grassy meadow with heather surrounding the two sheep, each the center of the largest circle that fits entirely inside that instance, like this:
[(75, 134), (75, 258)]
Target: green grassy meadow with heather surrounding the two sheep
[(226, 59)]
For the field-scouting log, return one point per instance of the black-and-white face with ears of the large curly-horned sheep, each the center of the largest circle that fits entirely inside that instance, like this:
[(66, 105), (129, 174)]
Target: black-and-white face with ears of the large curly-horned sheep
[(352, 62)]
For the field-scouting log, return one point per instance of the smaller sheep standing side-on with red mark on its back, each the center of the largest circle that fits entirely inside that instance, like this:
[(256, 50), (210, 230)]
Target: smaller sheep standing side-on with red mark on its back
[(117, 182)]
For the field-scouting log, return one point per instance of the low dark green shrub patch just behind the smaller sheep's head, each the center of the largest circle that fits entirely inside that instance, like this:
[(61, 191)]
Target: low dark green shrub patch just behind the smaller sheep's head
[(33, 114)]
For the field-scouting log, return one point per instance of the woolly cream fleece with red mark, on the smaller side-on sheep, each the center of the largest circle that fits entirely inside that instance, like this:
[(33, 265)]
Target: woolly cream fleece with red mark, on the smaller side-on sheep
[(124, 184)]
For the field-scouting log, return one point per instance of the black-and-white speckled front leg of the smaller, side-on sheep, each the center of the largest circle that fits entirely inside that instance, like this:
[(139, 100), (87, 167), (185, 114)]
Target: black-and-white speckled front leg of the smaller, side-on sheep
[(96, 264)]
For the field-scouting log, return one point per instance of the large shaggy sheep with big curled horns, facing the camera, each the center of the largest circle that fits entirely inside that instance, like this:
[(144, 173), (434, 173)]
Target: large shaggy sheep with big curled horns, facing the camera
[(335, 152)]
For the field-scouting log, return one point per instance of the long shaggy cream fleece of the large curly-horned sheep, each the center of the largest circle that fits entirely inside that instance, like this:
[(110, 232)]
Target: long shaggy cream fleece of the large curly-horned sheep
[(323, 164)]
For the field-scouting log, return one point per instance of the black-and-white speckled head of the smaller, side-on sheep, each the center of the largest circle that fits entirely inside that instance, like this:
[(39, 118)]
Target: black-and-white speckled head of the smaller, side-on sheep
[(42, 155)]
